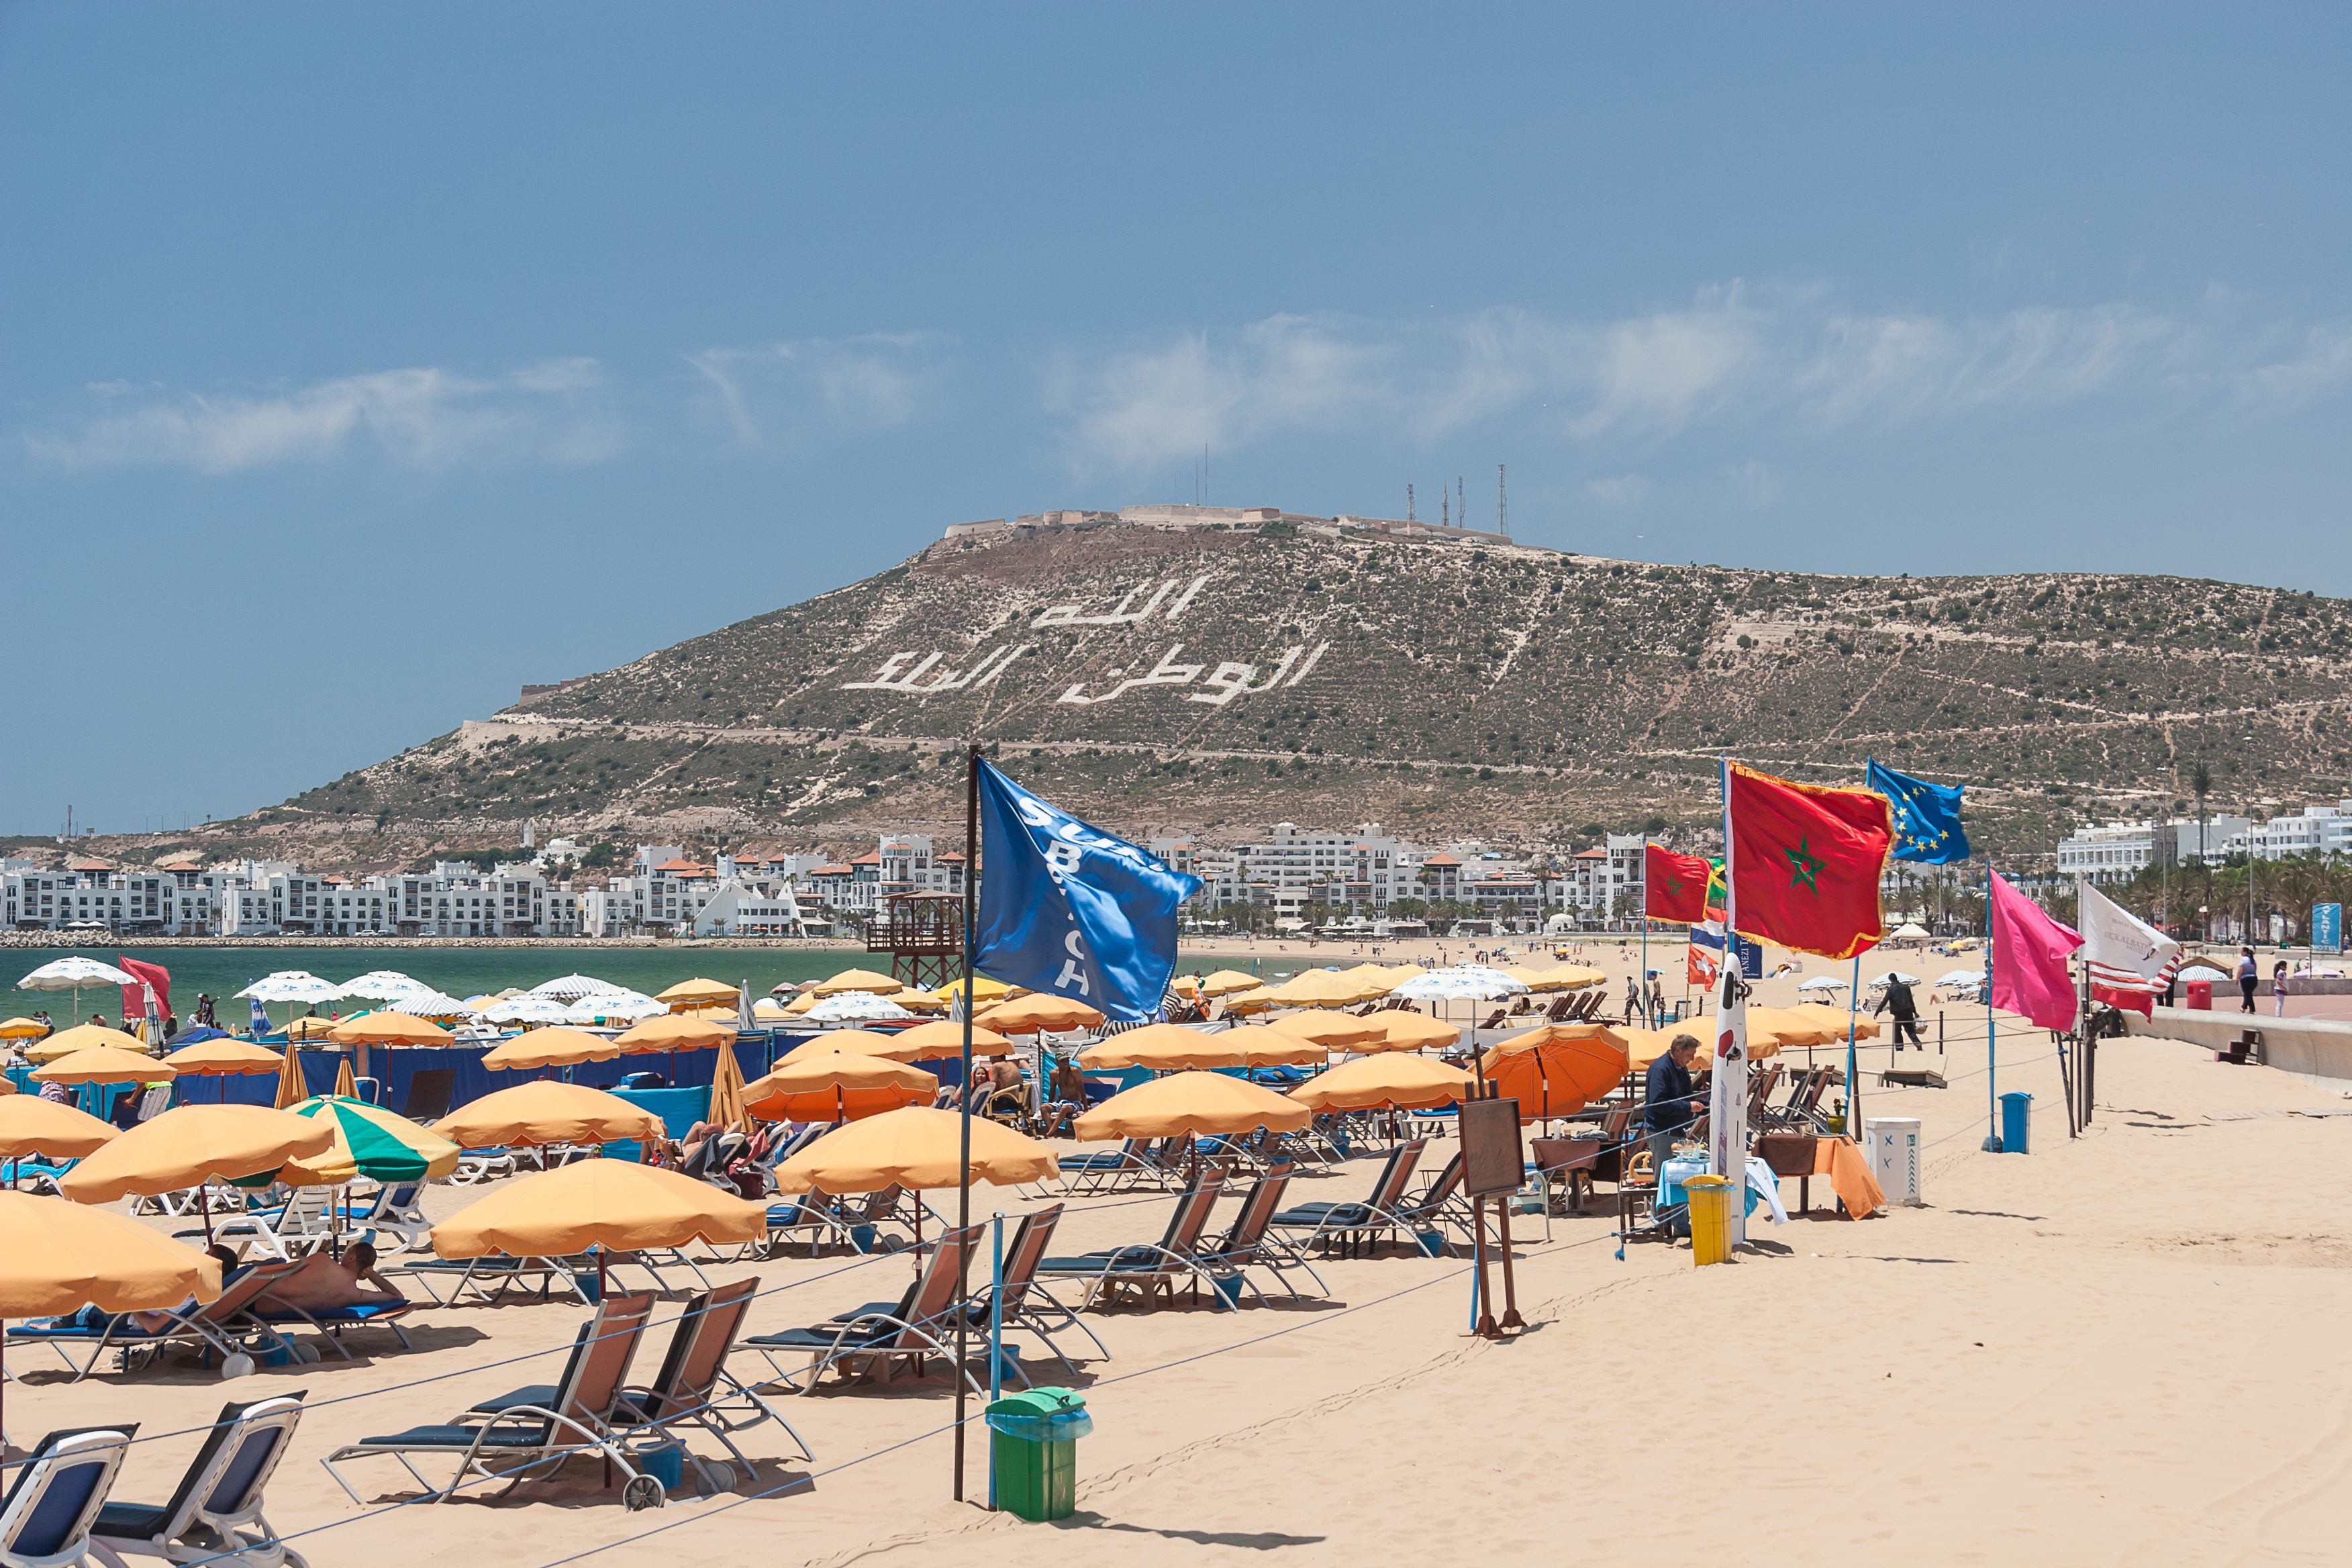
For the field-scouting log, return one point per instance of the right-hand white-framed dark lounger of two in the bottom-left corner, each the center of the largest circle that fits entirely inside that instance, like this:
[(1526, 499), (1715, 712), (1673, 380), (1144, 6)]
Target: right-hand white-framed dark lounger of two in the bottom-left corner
[(215, 1517)]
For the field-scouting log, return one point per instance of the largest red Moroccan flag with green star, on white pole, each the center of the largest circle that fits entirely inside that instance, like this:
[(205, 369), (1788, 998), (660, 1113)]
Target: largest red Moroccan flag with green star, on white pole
[(1805, 864)]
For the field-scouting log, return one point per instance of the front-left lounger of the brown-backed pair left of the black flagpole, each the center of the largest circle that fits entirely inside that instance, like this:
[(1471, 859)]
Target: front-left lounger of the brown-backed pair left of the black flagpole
[(533, 1428)]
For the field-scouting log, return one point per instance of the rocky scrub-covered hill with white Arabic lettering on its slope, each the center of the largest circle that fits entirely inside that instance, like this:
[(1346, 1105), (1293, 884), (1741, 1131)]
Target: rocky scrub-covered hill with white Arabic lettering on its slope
[(1212, 683)]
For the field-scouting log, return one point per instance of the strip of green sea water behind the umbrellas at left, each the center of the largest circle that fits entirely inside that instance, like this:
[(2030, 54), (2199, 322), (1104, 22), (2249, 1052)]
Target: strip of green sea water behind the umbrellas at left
[(460, 972)]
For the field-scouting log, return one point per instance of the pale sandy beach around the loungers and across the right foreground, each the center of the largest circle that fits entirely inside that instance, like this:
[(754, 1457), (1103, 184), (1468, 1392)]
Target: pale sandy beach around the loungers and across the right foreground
[(2104, 1351)]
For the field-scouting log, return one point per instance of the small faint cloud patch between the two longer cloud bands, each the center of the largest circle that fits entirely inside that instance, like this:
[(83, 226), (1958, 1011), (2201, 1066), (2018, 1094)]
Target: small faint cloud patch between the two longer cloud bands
[(820, 391)]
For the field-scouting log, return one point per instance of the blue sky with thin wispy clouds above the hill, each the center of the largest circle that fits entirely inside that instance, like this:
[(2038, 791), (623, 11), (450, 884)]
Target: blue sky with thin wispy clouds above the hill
[(366, 363)]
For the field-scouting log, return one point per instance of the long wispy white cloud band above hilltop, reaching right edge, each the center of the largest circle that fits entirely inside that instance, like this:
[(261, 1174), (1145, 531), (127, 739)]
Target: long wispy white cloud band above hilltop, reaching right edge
[(1735, 354)]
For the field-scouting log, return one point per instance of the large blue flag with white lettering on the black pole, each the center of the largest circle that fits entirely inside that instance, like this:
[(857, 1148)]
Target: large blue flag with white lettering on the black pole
[(1074, 911)]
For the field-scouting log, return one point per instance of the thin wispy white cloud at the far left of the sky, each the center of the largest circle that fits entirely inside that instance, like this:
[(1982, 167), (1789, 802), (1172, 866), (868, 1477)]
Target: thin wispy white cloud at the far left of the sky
[(420, 417)]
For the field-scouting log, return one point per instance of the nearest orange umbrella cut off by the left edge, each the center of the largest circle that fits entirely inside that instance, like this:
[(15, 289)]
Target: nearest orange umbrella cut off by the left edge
[(60, 1257)]
